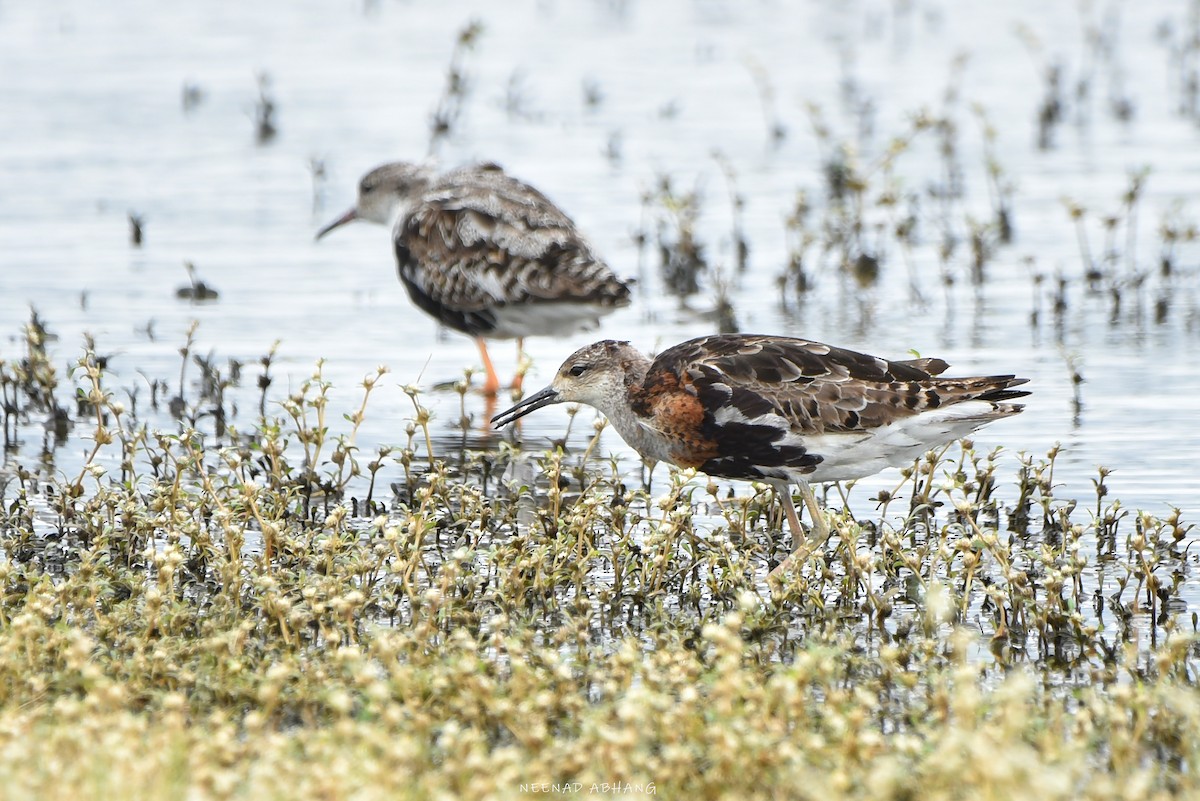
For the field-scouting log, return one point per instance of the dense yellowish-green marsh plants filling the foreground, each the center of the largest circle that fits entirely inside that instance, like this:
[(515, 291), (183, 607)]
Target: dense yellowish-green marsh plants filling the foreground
[(215, 613)]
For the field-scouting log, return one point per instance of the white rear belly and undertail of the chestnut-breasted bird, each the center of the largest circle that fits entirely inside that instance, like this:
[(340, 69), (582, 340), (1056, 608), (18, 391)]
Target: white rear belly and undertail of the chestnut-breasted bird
[(856, 455)]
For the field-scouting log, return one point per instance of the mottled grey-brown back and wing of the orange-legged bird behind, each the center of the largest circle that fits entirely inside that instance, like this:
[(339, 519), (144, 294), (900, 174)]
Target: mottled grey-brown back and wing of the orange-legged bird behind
[(482, 239)]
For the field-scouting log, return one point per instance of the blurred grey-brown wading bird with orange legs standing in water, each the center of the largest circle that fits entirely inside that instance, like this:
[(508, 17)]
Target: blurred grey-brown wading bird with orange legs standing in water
[(488, 255)]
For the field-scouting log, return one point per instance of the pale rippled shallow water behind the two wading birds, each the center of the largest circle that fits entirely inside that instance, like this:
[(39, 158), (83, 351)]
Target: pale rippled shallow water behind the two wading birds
[(95, 129)]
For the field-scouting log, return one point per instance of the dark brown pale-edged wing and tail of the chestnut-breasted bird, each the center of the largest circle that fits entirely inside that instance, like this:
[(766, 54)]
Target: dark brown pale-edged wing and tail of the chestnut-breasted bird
[(763, 396)]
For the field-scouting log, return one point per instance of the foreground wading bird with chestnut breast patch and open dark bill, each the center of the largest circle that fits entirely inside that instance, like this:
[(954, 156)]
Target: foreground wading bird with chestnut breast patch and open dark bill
[(776, 409)]
